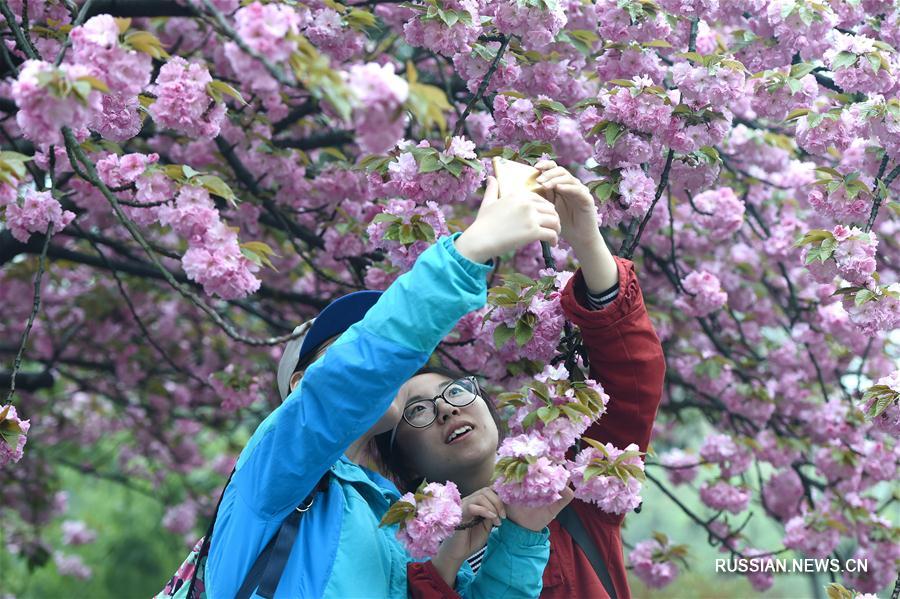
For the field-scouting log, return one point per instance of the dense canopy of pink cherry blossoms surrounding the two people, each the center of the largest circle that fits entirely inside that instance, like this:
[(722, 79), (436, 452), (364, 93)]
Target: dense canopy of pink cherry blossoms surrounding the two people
[(187, 180)]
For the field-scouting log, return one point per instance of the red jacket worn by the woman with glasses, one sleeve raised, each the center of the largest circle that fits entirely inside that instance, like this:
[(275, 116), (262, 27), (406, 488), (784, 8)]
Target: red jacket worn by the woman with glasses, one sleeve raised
[(627, 359)]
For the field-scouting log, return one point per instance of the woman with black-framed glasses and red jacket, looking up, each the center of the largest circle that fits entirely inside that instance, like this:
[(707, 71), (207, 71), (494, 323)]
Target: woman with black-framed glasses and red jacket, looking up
[(451, 431)]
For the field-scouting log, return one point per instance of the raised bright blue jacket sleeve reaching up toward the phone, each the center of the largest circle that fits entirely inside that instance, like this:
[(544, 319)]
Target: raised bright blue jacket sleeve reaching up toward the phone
[(348, 389)]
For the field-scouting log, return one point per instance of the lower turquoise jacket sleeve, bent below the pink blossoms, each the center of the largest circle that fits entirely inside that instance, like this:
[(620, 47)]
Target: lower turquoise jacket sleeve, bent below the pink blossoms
[(513, 565)]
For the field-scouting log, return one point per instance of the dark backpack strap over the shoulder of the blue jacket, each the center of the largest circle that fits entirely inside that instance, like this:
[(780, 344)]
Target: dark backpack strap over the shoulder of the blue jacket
[(265, 574)]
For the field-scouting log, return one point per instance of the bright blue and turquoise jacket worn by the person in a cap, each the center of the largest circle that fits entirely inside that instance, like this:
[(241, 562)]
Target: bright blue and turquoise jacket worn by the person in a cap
[(340, 549)]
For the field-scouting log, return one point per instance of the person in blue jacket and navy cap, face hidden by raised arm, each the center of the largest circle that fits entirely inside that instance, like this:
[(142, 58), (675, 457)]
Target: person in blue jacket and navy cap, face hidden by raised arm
[(300, 515)]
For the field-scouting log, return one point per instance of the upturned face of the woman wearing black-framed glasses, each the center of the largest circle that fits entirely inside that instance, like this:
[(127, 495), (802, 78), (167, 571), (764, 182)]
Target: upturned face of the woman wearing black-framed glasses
[(434, 451)]
